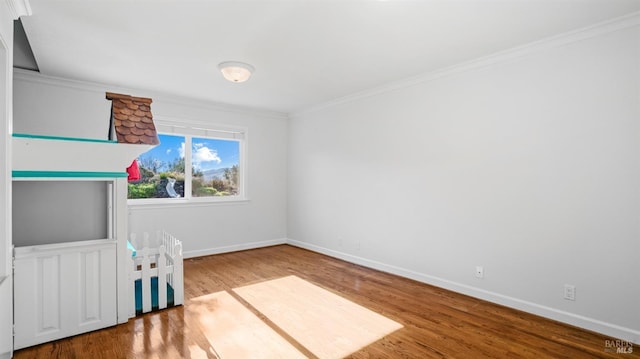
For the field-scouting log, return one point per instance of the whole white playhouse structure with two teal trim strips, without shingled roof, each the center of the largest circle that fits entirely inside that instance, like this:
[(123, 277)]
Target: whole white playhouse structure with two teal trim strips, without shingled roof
[(69, 233)]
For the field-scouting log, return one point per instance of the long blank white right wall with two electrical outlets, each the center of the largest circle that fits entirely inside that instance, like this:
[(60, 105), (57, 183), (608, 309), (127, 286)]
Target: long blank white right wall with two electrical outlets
[(527, 163)]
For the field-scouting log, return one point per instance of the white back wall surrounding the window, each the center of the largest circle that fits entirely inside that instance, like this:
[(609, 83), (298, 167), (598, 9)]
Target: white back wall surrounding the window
[(50, 106)]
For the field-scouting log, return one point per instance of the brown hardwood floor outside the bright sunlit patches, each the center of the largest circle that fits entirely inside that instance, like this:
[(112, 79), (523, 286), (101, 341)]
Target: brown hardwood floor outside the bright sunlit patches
[(437, 323)]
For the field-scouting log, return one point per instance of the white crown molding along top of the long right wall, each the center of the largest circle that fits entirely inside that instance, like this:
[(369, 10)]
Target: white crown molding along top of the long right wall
[(619, 23)]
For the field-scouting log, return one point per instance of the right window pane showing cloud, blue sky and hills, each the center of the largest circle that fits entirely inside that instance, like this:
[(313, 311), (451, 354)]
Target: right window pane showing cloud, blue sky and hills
[(215, 167)]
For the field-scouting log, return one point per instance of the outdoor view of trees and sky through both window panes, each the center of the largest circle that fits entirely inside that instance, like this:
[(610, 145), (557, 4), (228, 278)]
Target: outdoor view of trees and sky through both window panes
[(214, 168)]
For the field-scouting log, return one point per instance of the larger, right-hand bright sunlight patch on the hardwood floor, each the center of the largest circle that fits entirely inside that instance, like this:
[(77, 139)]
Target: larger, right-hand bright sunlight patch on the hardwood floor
[(326, 324)]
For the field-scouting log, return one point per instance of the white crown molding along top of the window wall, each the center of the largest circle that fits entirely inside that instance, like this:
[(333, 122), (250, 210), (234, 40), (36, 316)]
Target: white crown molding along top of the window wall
[(36, 77)]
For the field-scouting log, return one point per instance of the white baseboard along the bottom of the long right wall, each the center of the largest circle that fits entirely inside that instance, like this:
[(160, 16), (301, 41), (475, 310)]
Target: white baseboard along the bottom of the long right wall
[(609, 329)]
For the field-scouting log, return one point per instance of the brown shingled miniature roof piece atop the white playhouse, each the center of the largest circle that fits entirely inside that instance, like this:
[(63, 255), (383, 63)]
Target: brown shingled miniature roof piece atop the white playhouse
[(132, 120)]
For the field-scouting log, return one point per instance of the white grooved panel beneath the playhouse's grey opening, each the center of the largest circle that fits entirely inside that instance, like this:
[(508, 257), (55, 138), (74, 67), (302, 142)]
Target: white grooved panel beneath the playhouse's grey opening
[(63, 289)]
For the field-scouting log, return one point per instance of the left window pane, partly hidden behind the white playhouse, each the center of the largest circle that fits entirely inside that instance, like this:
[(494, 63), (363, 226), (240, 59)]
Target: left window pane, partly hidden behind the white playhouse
[(161, 170)]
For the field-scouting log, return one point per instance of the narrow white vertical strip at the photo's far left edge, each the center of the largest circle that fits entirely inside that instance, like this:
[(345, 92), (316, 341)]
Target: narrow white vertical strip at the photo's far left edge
[(6, 63)]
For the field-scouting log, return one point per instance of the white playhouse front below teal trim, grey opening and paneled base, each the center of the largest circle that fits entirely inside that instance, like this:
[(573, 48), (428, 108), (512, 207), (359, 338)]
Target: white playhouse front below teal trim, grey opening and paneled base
[(65, 258)]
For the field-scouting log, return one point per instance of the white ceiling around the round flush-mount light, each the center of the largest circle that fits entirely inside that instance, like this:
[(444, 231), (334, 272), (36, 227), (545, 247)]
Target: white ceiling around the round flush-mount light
[(306, 52)]
